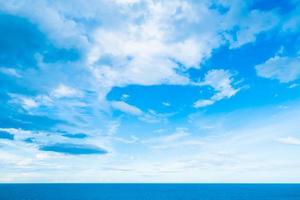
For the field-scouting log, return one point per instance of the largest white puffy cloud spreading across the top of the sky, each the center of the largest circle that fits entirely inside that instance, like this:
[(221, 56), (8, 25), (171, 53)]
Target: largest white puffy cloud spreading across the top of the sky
[(144, 42)]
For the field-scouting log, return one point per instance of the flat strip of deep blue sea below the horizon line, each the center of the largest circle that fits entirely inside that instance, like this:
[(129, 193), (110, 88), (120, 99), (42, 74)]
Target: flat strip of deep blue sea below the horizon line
[(149, 191)]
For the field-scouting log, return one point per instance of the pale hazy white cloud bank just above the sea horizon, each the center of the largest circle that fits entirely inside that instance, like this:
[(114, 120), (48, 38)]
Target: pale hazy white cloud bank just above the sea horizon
[(188, 155)]
